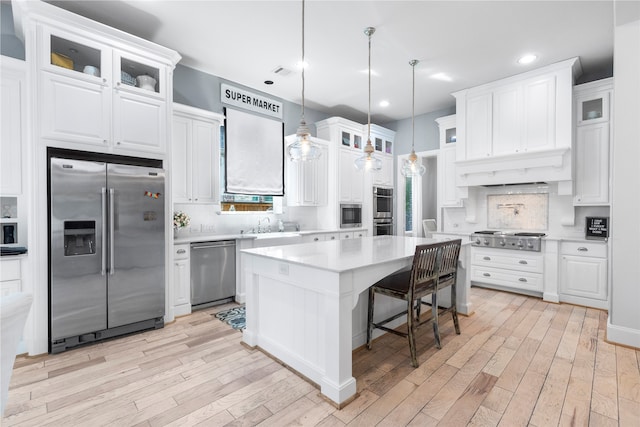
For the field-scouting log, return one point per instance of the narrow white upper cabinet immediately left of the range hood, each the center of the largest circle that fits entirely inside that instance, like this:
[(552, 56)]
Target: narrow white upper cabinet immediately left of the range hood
[(448, 193)]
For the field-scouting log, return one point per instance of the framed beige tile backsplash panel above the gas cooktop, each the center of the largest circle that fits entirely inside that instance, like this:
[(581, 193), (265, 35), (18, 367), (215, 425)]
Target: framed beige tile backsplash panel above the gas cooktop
[(518, 211)]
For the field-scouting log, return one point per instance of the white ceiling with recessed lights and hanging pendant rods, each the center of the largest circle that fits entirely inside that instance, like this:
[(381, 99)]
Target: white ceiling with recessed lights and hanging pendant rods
[(468, 42)]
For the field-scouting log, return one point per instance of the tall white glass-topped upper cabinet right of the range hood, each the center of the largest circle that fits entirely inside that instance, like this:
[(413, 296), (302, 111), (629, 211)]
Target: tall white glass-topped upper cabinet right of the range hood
[(592, 145)]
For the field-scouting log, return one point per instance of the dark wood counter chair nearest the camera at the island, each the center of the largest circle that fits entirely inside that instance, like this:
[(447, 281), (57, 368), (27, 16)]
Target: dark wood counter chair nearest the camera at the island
[(410, 286)]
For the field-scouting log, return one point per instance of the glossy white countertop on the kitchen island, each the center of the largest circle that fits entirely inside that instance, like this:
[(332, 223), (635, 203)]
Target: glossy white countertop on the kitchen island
[(346, 254)]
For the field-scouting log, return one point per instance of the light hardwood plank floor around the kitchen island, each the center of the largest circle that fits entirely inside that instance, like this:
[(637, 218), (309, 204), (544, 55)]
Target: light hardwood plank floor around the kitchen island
[(518, 362)]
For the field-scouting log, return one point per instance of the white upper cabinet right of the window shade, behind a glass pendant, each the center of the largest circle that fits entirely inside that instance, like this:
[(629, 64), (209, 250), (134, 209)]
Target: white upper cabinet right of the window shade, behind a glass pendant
[(307, 181)]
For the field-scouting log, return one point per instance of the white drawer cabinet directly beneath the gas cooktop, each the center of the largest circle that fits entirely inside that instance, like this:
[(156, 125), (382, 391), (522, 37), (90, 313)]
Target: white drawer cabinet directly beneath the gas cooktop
[(508, 269)]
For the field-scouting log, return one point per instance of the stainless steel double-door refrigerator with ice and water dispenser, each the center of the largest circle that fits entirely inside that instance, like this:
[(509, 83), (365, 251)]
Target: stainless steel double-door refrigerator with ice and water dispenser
[(107, 259)]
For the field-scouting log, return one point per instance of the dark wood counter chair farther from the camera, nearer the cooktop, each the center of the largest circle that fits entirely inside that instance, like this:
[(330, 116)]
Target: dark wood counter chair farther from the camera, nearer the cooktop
[(447, 278)]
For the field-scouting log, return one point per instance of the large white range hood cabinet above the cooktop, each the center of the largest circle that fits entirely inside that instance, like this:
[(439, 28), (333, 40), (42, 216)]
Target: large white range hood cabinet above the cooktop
[(518, 129)]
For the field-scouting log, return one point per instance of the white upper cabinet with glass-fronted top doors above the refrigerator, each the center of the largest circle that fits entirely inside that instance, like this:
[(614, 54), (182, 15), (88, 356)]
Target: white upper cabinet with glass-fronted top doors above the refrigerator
[(101, 89)]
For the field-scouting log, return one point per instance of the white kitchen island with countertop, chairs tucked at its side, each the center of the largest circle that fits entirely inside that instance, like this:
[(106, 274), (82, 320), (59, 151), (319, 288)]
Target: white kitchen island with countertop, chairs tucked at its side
[(306, 304)]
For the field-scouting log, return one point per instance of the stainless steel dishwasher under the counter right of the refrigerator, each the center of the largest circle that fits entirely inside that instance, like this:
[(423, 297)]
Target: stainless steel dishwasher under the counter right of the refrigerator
[(213, 273)]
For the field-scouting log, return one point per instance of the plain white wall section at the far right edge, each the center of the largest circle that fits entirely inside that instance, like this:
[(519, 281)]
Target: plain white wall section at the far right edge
[(624, 317)]
